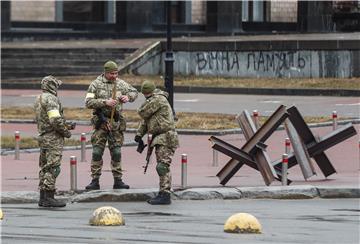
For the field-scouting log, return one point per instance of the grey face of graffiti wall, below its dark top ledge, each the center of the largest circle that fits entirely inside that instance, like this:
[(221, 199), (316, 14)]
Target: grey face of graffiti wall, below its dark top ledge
[(286, 64)]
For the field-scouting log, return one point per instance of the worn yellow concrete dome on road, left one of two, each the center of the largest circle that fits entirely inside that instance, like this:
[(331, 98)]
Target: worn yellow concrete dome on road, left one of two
[(106, 216)]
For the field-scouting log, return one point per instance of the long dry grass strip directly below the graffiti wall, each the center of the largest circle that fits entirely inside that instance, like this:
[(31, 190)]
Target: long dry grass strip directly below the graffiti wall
[(288, 83)]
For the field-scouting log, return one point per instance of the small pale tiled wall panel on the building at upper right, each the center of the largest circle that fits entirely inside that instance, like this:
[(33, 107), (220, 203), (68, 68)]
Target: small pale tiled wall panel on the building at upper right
[(283, 11)]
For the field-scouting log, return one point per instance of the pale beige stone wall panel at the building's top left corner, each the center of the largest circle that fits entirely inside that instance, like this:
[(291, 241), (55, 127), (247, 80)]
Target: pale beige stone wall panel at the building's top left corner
[(33, 10)]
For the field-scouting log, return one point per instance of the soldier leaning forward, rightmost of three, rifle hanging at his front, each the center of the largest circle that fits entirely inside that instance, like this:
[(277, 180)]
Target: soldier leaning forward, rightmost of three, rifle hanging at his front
[(158, 121)]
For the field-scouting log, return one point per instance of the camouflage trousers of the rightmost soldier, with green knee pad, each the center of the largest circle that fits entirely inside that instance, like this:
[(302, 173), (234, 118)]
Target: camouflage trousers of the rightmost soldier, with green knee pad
[(164, 156)]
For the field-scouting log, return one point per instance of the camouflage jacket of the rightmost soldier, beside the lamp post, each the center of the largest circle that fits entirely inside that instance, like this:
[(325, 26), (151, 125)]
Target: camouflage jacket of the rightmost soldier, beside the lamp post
[(158, 120)]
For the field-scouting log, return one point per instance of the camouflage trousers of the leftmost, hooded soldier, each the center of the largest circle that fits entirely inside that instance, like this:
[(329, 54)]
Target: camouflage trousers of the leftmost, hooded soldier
[(49, 163)]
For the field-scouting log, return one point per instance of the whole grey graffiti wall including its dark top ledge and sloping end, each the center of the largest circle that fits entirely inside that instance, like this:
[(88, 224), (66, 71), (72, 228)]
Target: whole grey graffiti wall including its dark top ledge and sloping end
[(289, 59)]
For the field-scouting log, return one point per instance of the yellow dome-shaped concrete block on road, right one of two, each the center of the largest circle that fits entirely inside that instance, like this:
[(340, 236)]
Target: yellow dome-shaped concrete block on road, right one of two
[(242, 223)]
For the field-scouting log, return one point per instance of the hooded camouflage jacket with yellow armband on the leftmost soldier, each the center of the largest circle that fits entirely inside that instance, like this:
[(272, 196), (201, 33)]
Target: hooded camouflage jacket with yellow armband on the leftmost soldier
[(49, 113)]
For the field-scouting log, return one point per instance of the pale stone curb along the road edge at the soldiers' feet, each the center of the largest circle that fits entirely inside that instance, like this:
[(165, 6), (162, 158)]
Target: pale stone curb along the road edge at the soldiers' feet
[(221, 193)]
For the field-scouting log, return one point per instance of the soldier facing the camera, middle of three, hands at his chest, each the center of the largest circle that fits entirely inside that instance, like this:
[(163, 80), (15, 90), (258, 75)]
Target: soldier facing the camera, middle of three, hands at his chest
[(99, 98)]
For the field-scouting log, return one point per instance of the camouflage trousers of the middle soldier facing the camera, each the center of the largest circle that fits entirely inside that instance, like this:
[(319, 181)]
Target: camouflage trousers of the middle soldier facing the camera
[(98, 141)]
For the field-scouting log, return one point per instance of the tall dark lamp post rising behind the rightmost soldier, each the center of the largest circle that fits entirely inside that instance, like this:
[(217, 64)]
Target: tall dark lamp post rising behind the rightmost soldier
[(169, 59)]
